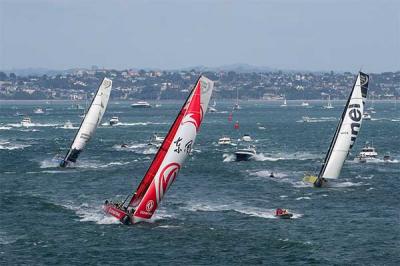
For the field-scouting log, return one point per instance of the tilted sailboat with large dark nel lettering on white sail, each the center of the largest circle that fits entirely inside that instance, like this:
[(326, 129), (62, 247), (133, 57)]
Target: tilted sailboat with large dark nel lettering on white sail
[(345, 134)]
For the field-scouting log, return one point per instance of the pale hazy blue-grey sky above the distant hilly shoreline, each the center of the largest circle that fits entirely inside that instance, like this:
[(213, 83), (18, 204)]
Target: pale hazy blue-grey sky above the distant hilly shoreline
[(312, 35)]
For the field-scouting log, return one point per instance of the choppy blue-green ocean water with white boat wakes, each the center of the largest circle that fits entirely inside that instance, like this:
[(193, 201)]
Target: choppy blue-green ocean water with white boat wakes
[(218, 211)]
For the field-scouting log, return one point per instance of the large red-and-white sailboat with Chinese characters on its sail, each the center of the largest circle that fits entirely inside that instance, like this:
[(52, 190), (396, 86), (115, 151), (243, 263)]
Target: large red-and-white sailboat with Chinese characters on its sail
[(169, 159)]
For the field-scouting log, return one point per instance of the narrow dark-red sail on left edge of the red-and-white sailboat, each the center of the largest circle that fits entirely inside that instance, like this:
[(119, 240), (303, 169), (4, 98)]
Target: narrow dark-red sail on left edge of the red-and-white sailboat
[(151, 172)]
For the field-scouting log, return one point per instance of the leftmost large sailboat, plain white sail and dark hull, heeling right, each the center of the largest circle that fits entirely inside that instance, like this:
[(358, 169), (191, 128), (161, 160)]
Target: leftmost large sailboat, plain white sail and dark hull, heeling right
[(89, 123)]
